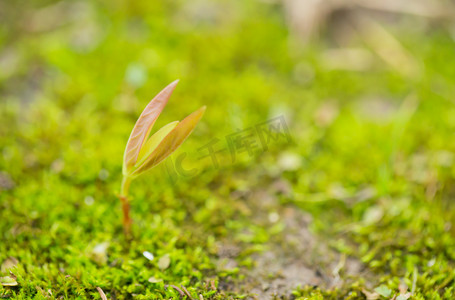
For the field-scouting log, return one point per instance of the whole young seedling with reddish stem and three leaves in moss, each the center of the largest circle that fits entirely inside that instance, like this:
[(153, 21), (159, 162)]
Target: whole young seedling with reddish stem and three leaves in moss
[(144, 152)]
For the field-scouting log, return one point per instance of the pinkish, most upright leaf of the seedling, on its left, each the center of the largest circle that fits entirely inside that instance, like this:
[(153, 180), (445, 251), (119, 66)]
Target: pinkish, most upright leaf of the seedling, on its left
[(144, 125)]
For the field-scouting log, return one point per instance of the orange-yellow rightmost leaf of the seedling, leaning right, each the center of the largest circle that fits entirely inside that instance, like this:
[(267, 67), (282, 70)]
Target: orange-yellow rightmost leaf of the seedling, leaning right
[(171, 142)]
